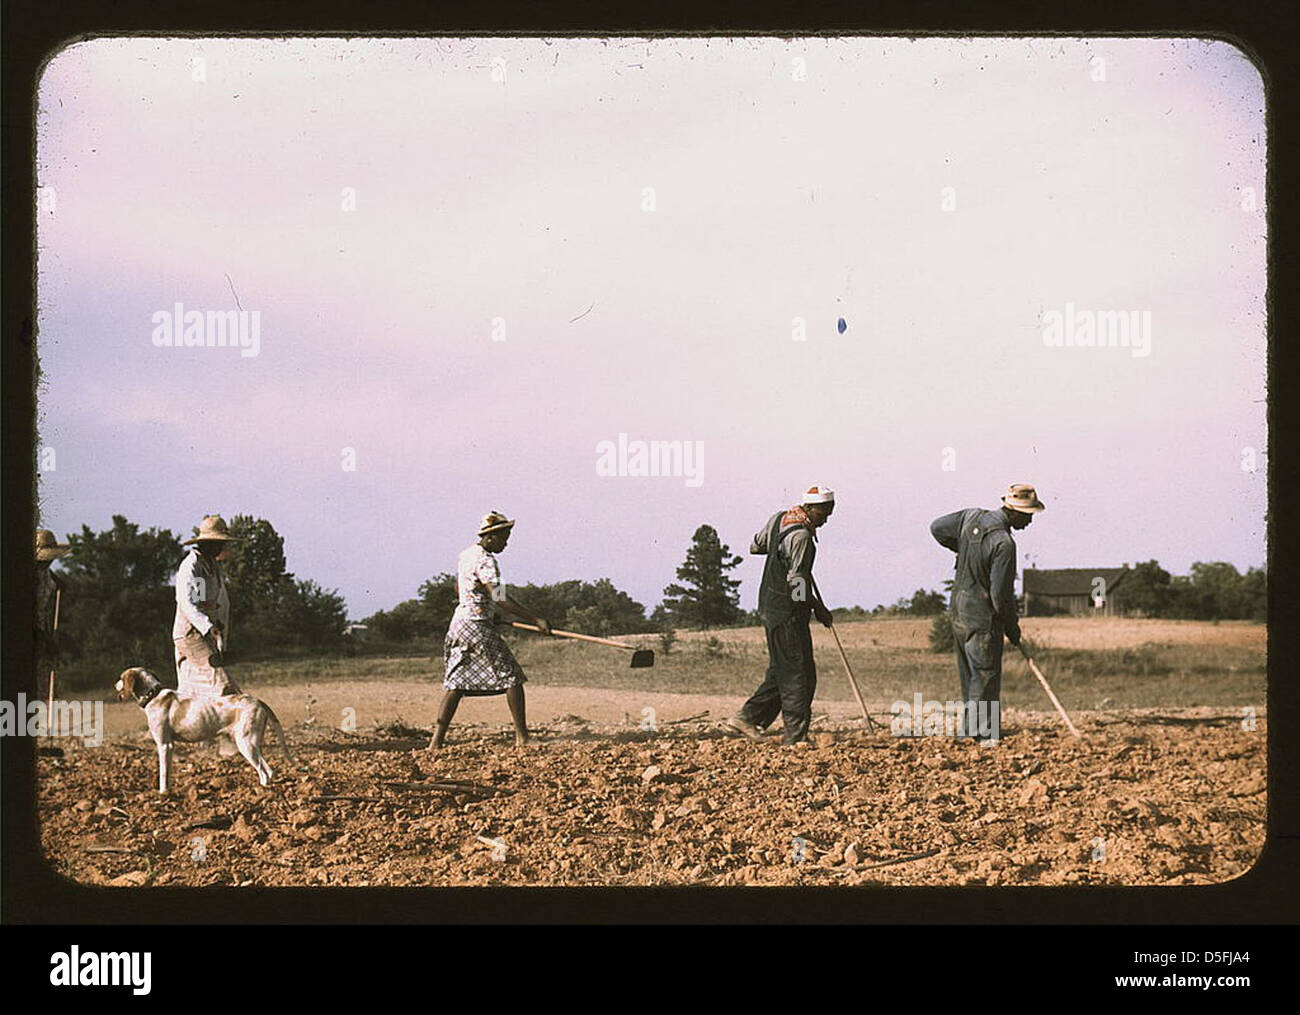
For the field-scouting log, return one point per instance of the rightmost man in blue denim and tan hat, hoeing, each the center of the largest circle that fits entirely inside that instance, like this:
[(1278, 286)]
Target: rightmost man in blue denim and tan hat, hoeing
[(983, 604)]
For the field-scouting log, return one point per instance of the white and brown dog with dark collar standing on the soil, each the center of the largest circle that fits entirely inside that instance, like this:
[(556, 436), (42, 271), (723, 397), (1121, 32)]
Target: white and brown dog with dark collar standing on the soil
[(231, 718)]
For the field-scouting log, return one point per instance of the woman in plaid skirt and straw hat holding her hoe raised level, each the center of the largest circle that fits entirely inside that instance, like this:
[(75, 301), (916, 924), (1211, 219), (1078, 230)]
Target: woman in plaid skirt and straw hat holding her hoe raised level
[(478, 660)]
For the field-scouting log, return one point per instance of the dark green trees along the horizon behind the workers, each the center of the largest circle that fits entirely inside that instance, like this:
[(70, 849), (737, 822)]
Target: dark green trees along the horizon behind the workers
[(119, 605)]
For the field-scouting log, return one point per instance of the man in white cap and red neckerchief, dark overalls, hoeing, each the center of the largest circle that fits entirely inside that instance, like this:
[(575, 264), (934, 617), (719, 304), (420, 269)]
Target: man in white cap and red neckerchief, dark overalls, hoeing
[(787, 598)]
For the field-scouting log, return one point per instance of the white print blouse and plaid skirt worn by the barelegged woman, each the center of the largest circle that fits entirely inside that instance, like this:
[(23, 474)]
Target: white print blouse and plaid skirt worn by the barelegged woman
[(478, 660)]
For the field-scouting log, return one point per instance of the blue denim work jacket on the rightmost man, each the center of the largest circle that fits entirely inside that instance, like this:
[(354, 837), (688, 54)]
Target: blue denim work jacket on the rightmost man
[(985, 584)]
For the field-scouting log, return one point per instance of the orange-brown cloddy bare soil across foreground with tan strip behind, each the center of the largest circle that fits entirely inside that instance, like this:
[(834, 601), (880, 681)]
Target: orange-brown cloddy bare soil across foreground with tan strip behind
[(1147, 797)]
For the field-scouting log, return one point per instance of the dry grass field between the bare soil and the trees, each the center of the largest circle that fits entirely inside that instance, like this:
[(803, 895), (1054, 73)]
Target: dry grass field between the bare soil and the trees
[(1093, 663)]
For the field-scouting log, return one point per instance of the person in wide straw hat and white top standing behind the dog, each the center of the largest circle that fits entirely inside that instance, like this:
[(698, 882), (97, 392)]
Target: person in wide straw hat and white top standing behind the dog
[(202, 622)]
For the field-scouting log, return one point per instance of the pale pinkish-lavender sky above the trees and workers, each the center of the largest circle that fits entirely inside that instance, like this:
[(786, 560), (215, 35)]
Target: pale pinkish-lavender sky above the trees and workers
[(475, 261)]
